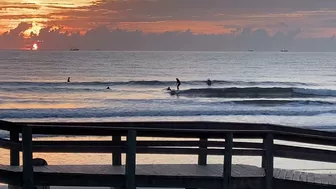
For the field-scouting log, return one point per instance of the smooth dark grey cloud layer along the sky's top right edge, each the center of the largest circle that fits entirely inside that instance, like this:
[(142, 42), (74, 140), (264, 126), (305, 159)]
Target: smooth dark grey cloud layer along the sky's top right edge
[(208, 9)]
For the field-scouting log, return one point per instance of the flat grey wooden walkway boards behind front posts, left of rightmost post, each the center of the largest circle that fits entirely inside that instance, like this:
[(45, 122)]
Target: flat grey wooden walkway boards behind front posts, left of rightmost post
[(210, 170)]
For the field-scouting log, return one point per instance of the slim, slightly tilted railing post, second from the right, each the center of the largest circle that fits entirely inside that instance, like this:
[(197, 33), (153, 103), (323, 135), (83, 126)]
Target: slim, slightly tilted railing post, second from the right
[(227, 161)]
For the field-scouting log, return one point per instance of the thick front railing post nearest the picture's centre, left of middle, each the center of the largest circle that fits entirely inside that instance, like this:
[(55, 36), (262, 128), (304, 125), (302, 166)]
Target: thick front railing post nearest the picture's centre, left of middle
[(130, 160)]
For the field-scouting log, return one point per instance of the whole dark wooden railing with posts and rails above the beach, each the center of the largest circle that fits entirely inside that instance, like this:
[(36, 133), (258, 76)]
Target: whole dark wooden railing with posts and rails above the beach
[(181, 131)]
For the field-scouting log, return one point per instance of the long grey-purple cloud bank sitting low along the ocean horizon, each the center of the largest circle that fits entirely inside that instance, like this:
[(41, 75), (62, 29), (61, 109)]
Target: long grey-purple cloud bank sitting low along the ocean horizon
[(102, 38)]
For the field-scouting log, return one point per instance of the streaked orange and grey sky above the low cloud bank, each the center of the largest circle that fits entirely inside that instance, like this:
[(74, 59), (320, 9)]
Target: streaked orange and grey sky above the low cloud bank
[(201, 16)]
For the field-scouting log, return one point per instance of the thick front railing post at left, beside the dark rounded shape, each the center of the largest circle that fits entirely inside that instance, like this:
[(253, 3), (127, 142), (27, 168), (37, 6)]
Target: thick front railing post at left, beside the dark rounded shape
[(27, 158)]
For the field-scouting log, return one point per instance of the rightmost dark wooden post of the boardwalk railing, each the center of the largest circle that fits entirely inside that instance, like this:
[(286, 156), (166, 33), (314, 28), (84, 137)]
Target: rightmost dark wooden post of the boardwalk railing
[(268, 160)]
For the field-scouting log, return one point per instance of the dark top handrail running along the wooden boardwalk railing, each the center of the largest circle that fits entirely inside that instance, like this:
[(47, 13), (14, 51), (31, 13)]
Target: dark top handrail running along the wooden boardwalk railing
[(177, 129)]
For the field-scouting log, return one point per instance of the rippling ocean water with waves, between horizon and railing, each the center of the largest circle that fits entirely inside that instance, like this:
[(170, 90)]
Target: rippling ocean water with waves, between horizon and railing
[(295, 89)]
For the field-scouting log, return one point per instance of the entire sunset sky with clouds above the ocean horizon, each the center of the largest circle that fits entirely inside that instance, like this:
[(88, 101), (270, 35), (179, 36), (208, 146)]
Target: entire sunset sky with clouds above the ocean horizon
[(168, 24)]
